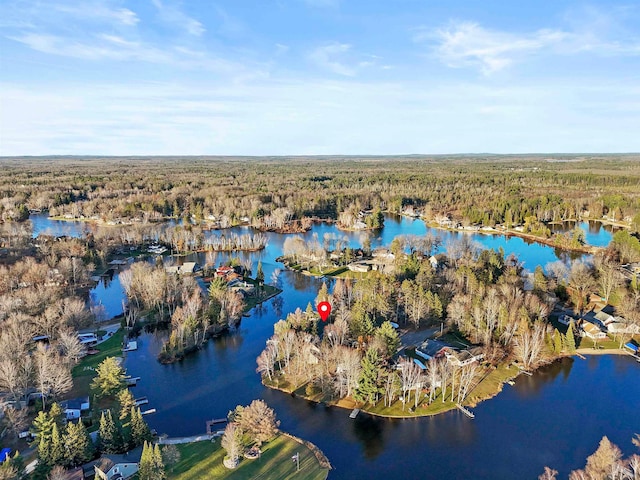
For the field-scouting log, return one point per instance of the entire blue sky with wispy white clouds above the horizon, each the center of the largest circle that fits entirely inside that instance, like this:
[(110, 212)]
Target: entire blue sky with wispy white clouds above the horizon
[(281, 77)]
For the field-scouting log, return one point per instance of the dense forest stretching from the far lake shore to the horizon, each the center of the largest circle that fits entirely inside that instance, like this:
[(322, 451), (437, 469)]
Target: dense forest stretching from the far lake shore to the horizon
[(273, 192)]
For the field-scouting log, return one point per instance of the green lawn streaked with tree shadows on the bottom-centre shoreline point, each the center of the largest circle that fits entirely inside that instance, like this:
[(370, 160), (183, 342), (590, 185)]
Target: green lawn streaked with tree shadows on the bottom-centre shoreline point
[(204, 460)]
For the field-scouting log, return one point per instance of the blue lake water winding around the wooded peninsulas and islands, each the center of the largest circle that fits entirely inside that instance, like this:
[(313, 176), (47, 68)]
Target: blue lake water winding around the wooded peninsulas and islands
[(554, 418)]
